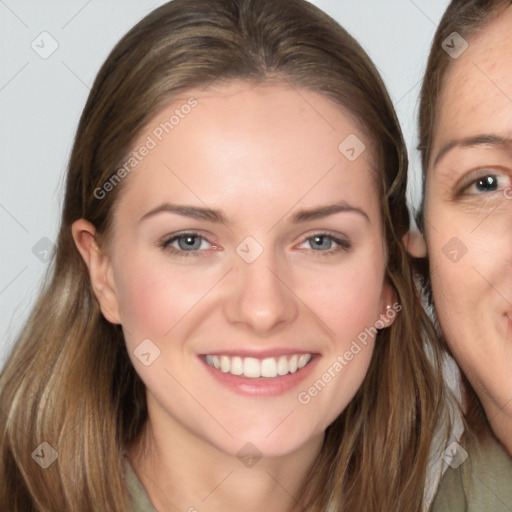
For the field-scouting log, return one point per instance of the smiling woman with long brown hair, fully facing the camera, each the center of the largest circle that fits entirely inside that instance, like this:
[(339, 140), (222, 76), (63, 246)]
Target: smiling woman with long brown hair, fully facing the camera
[(252, 255)]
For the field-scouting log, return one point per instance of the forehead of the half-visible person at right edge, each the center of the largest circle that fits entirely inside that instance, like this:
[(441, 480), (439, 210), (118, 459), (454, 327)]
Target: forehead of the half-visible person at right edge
[(476, 96)]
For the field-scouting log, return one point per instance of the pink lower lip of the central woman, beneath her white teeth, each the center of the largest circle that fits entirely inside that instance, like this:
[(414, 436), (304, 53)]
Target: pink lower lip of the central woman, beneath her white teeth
[(262, 386)]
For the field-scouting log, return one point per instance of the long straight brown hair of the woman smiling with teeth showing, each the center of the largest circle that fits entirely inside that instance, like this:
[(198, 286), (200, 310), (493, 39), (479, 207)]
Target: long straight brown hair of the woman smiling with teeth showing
[(69, 381)]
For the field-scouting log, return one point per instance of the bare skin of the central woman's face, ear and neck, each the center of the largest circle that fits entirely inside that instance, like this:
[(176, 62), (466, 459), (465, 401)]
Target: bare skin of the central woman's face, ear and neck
[(259, 154)]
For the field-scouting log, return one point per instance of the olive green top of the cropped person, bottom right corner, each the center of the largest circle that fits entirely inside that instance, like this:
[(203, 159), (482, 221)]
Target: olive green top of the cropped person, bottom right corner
[(482, 483)]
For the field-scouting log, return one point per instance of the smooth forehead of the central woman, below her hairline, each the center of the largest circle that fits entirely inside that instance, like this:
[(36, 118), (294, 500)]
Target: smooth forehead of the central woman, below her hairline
[(253, 144)]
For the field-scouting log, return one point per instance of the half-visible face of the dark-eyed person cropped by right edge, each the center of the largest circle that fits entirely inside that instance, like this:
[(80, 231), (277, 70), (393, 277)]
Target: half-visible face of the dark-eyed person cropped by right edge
[(468, 215)]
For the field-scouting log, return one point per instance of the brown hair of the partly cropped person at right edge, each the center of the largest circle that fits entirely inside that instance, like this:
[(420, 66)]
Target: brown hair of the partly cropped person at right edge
[(467, 18)]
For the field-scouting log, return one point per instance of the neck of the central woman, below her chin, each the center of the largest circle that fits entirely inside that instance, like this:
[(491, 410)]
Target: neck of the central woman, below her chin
[(181, 471)]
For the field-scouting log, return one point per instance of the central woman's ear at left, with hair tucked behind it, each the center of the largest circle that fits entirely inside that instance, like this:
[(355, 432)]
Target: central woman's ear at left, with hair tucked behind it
[(100, 269)]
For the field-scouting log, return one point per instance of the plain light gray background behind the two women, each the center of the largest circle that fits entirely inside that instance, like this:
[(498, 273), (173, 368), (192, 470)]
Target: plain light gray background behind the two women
[(41, 101)]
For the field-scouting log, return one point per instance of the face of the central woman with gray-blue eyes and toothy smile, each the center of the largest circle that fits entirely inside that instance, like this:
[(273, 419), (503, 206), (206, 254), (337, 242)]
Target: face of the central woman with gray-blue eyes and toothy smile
[(246, 262)]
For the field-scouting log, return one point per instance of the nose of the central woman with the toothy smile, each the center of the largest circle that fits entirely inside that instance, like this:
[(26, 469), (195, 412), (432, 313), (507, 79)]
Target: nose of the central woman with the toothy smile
[(260, 300)]
